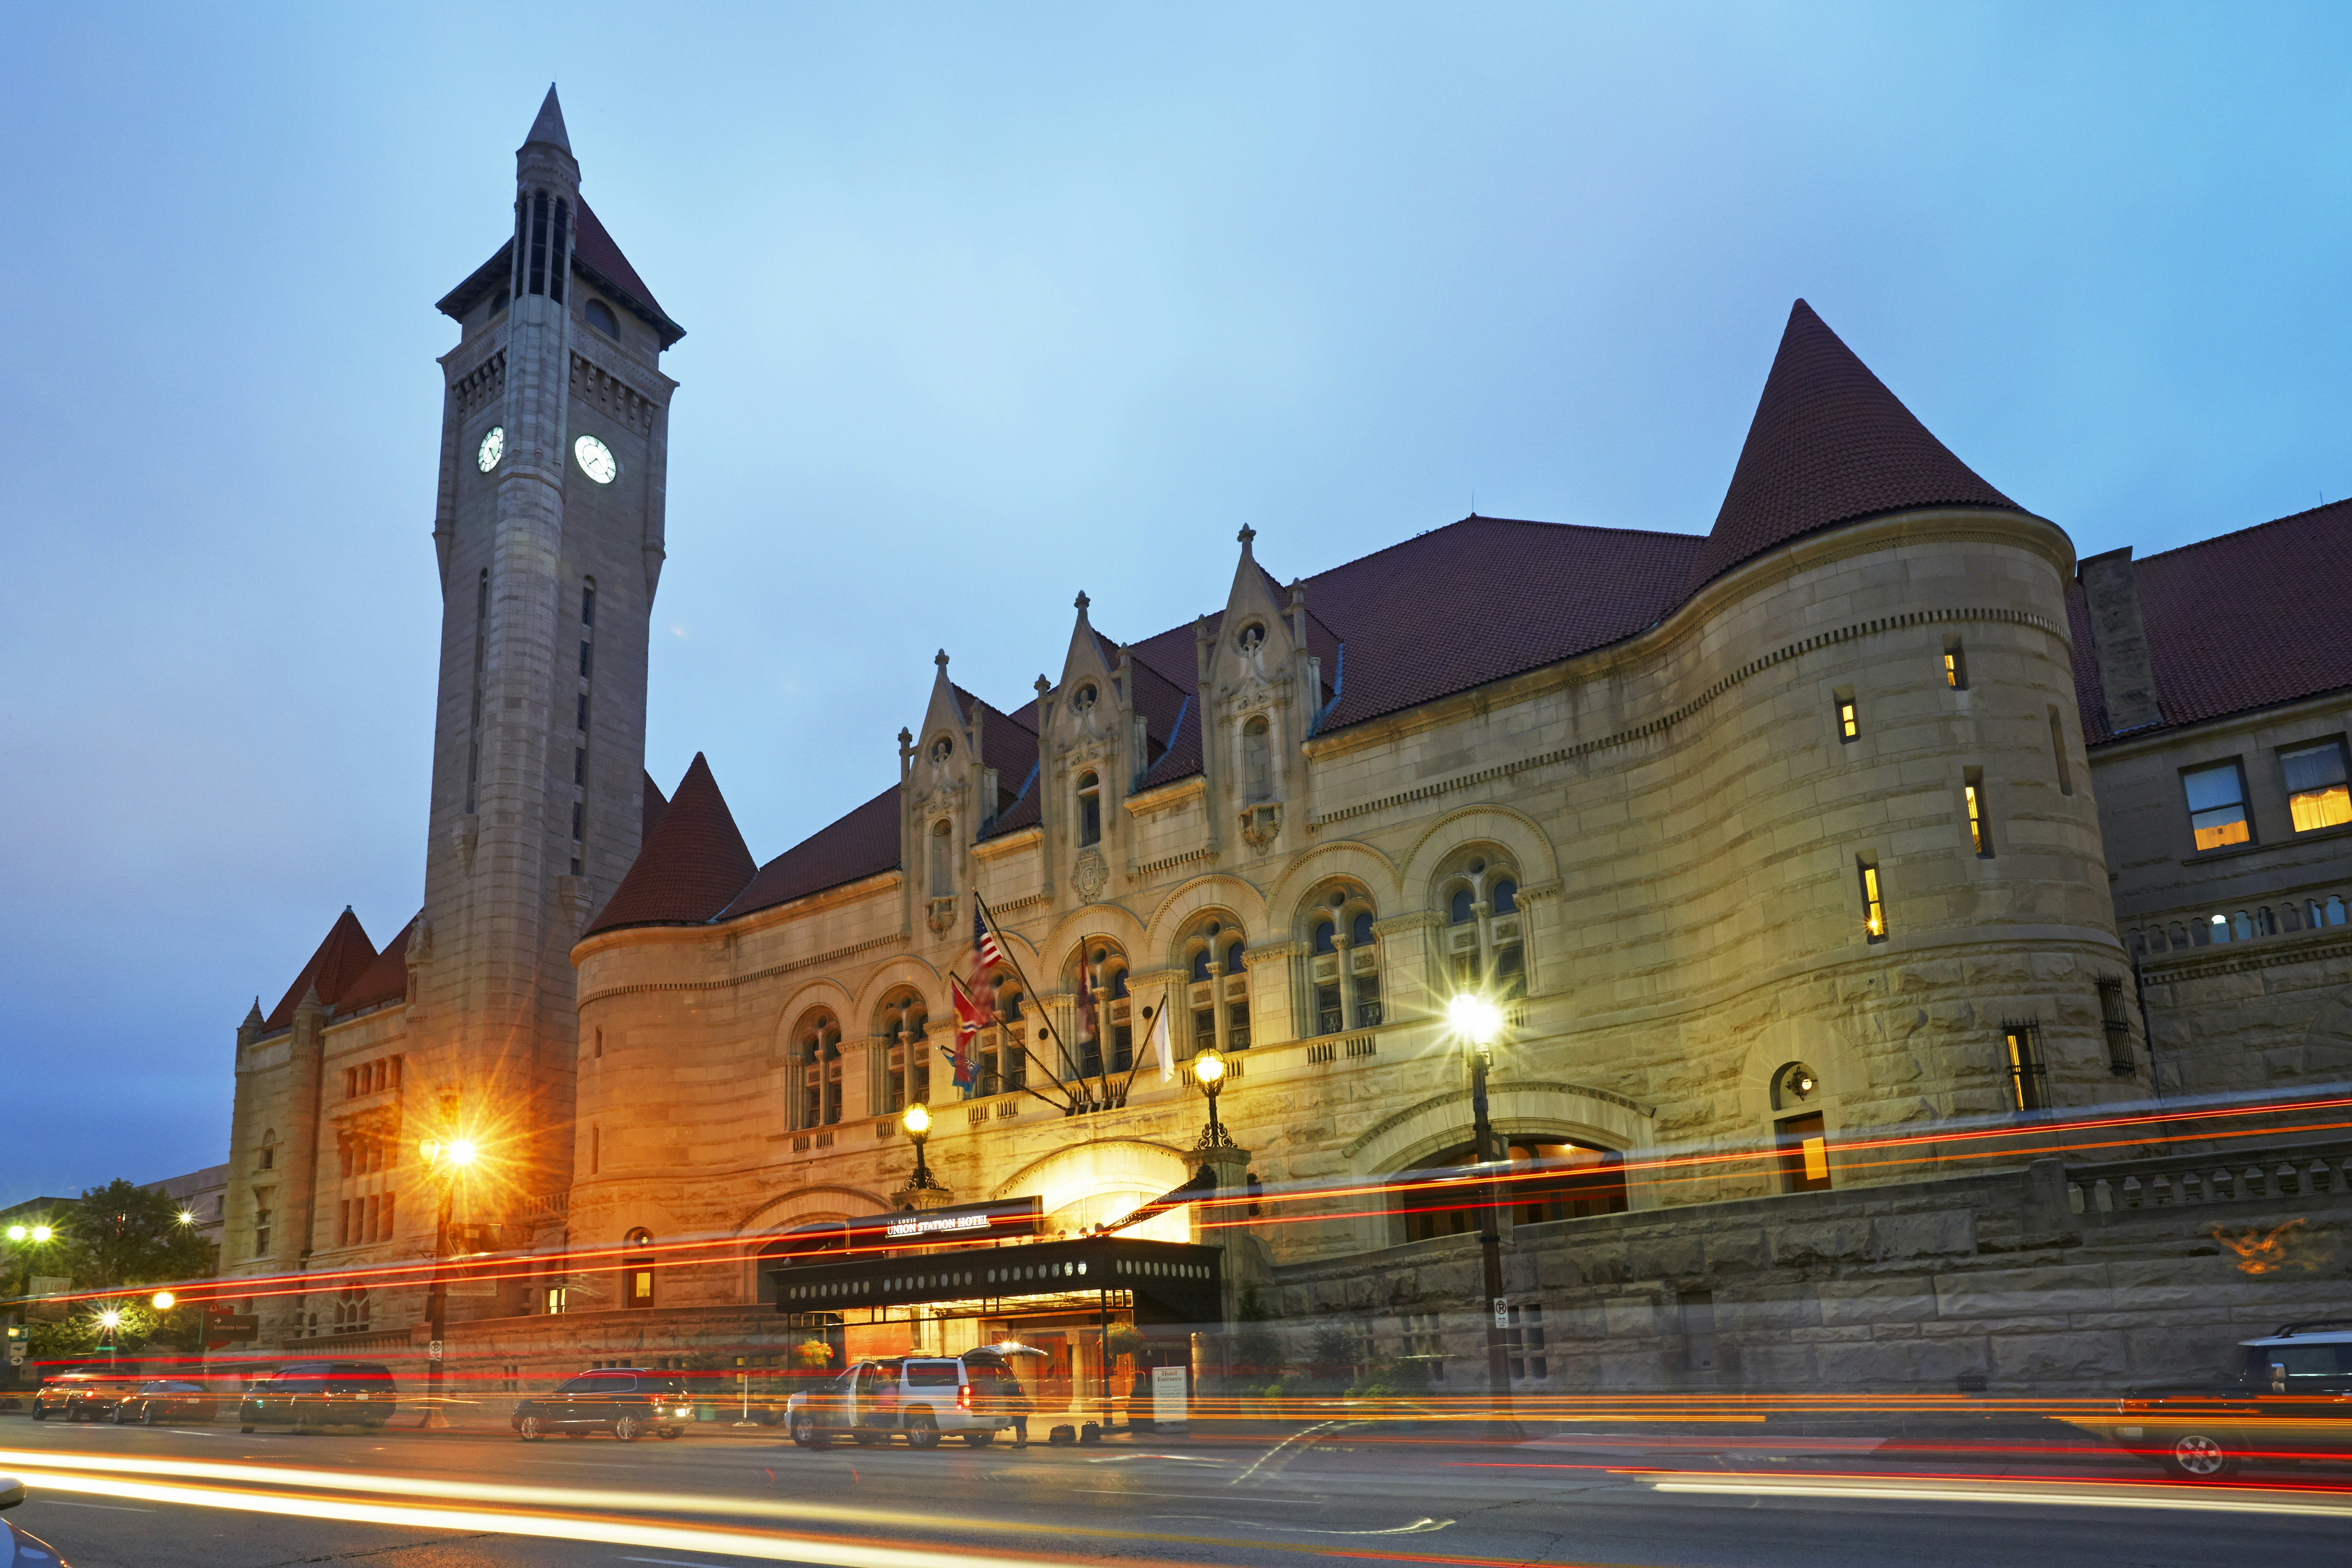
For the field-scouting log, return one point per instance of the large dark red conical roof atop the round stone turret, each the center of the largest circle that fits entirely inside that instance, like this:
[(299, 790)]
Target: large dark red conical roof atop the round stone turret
[(1829, 445)]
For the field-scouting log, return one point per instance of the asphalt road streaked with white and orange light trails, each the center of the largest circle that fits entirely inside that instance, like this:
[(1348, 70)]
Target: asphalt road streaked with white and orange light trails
[(213, 1499)]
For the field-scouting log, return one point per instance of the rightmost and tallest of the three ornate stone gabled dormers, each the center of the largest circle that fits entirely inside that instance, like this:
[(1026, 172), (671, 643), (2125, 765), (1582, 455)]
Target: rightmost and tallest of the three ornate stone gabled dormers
[(1259, 697)]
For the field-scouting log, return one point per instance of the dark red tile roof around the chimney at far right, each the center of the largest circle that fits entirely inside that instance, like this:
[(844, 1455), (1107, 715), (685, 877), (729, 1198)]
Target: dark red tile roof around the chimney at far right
[(2240, 622)]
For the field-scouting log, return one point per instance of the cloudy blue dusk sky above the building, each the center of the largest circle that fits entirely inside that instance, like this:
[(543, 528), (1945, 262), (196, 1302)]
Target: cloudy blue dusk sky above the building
[(994, 304)]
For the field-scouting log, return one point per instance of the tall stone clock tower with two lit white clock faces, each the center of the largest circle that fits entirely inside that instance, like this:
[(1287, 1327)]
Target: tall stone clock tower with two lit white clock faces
[(549, 537)]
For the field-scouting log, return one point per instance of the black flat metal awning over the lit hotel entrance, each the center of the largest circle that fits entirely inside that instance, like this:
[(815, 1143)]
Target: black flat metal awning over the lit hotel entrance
[(1172, 1282)]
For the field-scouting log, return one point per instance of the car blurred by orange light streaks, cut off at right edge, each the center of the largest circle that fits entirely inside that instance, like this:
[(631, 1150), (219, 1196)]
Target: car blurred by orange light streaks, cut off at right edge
[(2287, 1405)]
